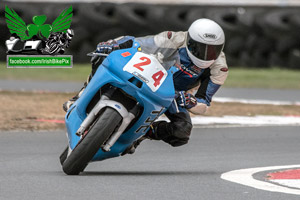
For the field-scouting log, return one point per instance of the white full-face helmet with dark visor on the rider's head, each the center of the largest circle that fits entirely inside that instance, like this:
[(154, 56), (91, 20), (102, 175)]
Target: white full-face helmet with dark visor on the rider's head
[(205, 41)]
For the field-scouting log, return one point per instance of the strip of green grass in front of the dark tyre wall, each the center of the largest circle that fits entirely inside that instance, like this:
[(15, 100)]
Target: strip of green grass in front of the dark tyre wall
[(238, 77)]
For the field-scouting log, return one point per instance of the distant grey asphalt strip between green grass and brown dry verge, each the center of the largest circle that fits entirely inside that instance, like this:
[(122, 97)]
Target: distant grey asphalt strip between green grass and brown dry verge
[(239, 93)]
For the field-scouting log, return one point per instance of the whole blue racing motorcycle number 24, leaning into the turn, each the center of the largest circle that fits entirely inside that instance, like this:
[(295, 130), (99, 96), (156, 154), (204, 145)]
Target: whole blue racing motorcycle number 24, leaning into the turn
[(129, 91)]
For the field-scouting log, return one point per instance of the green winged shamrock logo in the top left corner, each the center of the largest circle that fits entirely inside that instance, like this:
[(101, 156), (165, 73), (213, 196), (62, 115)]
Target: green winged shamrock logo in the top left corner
[(16, 25)]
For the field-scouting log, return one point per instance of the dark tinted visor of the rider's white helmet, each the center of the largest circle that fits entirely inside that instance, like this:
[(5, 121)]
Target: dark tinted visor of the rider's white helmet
[(203, 51)]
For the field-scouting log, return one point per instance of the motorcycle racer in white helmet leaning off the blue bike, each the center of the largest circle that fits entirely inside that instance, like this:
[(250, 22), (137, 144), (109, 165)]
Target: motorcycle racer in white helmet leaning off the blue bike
[(202, 69)]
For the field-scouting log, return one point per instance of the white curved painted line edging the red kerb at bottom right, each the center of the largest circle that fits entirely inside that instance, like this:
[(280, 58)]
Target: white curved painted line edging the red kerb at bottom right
[(245, 177)]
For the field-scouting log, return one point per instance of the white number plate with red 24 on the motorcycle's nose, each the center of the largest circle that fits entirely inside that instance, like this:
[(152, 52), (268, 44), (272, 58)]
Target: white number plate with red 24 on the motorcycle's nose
[(148, 69)]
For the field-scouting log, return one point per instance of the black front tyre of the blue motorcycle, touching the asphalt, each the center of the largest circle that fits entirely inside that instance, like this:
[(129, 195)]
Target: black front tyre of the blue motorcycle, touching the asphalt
[(91, 142)]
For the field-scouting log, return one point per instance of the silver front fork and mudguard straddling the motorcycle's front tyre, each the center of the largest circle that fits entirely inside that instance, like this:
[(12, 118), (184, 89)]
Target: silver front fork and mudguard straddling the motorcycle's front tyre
[(105, 101)]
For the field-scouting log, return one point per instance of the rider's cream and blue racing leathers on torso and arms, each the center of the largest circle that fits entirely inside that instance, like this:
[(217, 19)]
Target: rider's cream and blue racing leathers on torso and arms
[(201, 82)]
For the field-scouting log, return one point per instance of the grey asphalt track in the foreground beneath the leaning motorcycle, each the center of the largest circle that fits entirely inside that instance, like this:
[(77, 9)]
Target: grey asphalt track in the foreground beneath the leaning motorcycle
[(30, 169)]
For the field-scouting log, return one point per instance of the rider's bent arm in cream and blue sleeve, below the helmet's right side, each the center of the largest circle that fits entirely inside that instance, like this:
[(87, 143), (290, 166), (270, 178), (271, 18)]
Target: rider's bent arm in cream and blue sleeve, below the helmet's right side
[(210, 85)]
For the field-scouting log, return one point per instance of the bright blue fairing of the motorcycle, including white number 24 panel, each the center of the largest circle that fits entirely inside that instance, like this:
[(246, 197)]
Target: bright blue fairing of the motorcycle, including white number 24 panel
[(154, 95)]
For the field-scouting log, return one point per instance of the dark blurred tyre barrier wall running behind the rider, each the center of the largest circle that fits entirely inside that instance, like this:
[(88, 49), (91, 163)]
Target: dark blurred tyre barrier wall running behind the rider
[(255, 36)]
